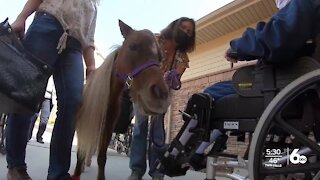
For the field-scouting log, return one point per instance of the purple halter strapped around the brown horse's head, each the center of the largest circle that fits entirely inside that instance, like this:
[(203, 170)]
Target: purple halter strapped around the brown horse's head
[(129, 77)]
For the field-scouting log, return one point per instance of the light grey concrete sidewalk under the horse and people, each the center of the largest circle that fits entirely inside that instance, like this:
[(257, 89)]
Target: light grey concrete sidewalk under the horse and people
[(117, 167)]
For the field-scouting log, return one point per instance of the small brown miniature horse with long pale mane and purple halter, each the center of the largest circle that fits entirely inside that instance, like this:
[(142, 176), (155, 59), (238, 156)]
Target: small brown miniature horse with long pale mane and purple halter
[(134, 65)]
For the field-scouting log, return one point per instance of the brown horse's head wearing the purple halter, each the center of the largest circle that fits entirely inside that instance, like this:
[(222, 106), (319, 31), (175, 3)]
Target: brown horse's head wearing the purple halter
[(138, 64)]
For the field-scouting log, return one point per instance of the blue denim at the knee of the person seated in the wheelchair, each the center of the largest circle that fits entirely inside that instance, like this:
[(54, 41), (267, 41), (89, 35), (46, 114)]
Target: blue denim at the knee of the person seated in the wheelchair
[(220, 89)]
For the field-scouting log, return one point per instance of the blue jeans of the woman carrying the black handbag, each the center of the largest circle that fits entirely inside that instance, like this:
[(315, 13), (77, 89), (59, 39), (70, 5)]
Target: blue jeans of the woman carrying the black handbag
[(42, 39)]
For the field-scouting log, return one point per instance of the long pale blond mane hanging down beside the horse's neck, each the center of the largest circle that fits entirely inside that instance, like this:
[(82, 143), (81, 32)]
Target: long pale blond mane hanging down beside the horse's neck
[(92, 113)]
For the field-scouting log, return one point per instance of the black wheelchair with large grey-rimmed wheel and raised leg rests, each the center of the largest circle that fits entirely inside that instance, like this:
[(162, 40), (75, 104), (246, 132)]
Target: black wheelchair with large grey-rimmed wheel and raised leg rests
[(278, 105)]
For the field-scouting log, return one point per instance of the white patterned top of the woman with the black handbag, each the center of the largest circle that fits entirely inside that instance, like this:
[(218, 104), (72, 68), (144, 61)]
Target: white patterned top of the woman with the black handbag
[(77, 17)]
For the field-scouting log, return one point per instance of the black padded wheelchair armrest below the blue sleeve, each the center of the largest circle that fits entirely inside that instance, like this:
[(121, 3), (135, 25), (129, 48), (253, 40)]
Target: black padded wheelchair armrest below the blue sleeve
[(250, 81)]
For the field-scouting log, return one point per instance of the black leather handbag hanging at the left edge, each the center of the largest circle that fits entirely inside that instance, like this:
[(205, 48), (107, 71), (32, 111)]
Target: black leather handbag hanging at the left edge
[(23, 77)]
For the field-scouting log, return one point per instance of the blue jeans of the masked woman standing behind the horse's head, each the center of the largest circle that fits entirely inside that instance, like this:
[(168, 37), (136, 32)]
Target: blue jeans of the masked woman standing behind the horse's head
[(138, 160)]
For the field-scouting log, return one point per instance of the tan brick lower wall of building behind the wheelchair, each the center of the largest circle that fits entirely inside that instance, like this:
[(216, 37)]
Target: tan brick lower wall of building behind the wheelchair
[(180, 99)]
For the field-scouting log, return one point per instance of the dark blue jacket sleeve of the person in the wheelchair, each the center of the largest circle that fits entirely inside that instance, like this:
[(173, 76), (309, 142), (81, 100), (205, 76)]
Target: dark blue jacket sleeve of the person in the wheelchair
[(283, 36)]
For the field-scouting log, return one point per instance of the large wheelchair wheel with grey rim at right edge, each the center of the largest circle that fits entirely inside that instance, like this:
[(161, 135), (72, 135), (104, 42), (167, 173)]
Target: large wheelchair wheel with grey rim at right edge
[(295, 152)]
